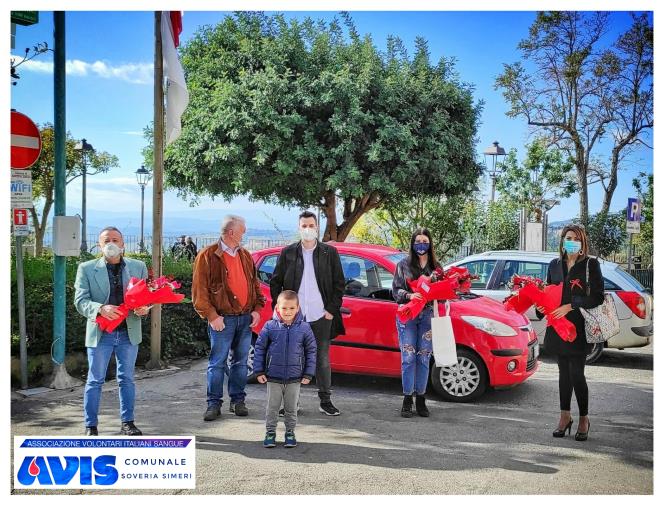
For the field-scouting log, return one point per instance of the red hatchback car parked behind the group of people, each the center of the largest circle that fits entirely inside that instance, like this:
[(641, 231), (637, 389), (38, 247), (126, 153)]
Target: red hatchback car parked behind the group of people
[(495, 347)]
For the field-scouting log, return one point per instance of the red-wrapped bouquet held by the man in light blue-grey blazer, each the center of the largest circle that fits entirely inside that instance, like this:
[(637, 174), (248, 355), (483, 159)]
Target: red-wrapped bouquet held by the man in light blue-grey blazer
[(142, 293)]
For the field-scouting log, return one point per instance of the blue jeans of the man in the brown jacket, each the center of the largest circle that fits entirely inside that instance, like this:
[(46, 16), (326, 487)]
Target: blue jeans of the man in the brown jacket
[(236, 336)]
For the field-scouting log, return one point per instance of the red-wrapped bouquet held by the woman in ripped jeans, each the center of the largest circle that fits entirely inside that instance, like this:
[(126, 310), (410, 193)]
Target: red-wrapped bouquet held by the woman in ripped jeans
[(443, 285)]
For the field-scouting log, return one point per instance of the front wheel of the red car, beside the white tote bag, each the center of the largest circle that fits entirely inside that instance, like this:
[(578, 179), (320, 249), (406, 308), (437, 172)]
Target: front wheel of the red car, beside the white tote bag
[(463, 382)]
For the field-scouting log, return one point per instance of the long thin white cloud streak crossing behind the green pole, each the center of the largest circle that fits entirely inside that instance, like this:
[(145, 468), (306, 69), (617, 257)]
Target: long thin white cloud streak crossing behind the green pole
[(137, 73)]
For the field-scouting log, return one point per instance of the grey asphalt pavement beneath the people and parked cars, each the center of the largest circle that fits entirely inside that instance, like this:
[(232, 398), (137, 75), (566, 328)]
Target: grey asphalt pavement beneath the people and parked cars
[(499, 445)]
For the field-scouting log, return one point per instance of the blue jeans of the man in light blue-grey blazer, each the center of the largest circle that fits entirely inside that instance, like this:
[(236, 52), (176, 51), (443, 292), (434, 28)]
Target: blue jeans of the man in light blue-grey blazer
[(98, 359)]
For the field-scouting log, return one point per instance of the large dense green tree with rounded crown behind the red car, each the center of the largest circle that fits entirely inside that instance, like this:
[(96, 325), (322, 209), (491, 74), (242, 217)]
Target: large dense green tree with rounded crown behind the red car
[(312, 114)]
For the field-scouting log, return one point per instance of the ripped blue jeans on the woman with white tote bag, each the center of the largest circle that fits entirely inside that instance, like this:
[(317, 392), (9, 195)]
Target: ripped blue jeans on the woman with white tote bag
[(416, 349)]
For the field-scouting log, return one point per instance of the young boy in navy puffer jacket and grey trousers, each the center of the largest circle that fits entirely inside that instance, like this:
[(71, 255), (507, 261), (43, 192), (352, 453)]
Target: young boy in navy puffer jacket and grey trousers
[(285, 358)]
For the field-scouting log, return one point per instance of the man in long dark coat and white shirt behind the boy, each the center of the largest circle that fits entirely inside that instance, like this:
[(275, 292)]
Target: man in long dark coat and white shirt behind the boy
[(313, 270)]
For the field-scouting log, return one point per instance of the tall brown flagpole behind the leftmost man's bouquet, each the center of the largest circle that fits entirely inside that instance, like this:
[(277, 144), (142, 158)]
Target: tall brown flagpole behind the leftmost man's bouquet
[(157, 192)]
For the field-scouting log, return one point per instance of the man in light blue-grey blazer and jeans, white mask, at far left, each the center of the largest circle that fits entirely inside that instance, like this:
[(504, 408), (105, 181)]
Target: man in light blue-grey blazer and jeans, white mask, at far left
[(100, 288)]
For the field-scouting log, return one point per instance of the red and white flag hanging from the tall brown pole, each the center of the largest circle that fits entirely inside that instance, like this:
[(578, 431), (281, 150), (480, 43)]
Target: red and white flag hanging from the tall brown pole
[(177, 96)]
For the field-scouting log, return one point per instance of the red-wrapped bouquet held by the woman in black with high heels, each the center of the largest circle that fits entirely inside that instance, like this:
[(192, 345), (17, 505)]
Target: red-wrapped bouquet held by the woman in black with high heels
[(529, 291)]
